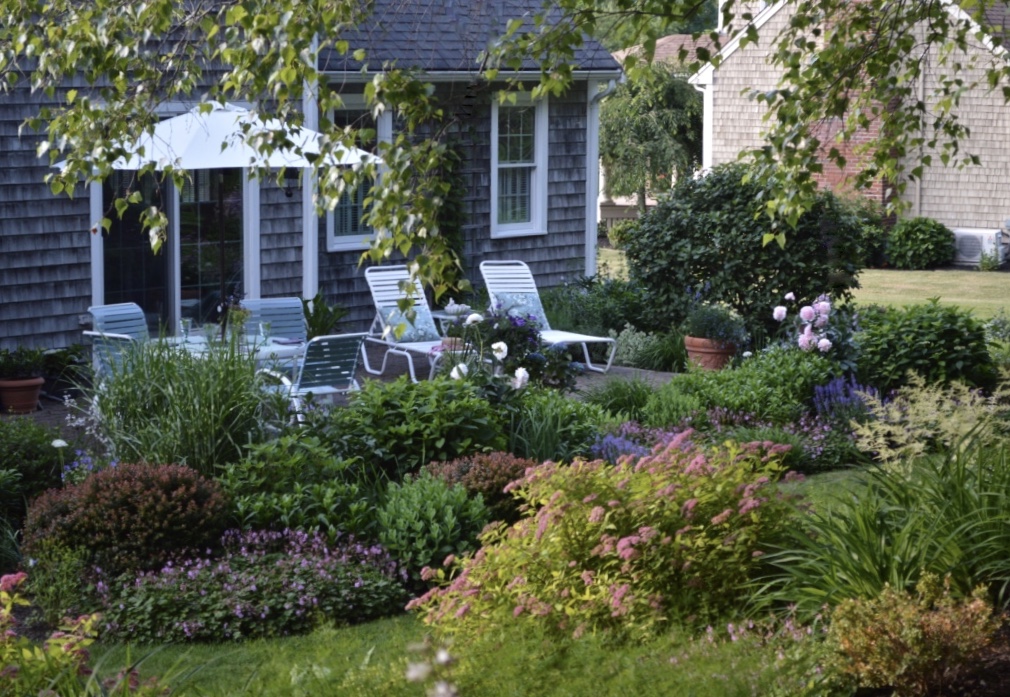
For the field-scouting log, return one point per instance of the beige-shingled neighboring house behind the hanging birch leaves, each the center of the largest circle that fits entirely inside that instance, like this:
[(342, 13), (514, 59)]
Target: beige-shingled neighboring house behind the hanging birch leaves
[(976, 197)]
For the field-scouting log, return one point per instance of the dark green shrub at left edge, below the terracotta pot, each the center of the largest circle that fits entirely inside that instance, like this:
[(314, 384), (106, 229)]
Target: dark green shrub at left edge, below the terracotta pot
[(29, 451)]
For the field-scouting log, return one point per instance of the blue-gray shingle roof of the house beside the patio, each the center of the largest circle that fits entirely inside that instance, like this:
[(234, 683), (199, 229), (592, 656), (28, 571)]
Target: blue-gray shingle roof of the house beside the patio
[(444, 36)]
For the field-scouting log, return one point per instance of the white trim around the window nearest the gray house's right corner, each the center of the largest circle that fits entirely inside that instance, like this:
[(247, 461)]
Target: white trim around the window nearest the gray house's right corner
[(539, 183)]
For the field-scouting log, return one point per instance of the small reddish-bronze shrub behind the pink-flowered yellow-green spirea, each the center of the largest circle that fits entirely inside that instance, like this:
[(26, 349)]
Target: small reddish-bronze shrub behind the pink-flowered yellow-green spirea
[(487, 474)]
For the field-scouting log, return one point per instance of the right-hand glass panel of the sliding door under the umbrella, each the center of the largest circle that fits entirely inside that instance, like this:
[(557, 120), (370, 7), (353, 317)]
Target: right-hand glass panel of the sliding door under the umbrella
[(211, 242)]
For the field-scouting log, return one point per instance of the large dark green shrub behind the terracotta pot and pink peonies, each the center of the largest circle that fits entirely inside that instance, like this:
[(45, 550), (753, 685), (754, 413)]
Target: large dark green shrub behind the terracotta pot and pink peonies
[(711, 235)]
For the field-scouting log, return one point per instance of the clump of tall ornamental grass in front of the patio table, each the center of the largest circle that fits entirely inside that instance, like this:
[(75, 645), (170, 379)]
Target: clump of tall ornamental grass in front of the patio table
[(164, 406)]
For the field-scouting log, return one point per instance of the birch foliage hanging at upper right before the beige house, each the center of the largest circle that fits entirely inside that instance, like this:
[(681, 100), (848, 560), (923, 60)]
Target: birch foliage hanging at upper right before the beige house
[(850, 69)]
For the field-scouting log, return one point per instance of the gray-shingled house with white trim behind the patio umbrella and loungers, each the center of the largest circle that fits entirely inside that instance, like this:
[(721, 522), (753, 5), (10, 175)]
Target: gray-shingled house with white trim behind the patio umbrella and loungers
[(541, 209)]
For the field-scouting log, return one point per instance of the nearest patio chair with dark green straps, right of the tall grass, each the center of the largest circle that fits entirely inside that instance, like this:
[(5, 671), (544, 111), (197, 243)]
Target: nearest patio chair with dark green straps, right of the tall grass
[(327, 368)]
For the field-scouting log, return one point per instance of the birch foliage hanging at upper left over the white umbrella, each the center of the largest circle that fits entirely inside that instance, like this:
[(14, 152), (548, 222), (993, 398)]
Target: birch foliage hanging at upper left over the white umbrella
[(106, 66)]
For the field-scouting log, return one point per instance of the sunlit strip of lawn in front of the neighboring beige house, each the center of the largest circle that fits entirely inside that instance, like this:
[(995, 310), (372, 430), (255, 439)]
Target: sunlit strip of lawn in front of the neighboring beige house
[(983, 293)]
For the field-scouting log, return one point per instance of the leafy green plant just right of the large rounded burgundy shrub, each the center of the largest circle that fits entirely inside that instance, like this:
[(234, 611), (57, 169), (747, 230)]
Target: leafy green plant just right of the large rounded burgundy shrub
[(296, 483)]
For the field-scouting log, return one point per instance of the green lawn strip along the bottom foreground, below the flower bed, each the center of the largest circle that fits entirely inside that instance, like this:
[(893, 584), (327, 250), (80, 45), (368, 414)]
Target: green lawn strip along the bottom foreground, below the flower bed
[(371, 660)]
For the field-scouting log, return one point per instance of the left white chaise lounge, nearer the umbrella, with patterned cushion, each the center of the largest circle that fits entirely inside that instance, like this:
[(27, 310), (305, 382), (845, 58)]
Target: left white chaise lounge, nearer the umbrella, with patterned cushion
[(420, 338)]
